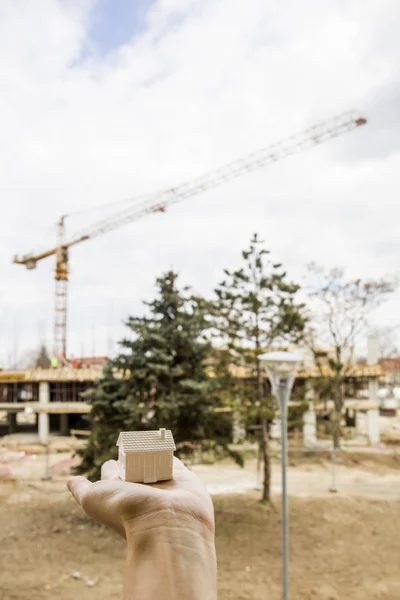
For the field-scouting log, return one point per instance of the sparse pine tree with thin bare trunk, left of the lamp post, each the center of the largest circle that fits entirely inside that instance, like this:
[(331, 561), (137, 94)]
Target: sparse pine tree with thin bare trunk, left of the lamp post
[(256, 308)]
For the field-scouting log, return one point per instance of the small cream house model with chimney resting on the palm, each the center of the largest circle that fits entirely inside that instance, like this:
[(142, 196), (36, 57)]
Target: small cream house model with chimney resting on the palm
[(145, 456)]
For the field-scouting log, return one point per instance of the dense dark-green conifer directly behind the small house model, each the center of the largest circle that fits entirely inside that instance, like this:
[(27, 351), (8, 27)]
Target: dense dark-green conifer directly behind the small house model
[(162, 379)]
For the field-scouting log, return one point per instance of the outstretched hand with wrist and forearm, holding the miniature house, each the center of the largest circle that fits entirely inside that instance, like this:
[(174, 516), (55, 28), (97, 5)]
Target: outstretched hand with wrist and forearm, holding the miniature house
[(169, 528)]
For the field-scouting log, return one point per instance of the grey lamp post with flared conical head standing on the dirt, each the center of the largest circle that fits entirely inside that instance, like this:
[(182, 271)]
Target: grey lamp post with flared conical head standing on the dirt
[(281, 370)]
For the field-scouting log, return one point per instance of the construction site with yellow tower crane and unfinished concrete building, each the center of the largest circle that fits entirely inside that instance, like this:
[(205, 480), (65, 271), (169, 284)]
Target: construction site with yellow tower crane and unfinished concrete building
[(46, 401)]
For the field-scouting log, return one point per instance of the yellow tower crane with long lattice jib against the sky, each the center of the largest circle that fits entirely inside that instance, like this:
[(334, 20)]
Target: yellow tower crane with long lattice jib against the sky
[(158, 202)]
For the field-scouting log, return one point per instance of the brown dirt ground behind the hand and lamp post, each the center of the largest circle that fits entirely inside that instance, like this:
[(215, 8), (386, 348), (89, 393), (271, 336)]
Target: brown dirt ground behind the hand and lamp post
[(343, 546)]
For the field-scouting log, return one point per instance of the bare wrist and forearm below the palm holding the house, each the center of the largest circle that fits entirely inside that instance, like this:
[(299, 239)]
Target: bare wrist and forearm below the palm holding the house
[(170, 554)]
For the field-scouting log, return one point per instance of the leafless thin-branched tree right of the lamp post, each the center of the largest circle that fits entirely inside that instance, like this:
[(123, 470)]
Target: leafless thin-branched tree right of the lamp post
[(340, 311)]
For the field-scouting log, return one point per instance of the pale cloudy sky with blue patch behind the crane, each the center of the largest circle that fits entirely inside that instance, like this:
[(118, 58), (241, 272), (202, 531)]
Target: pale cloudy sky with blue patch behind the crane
[(103, 100)]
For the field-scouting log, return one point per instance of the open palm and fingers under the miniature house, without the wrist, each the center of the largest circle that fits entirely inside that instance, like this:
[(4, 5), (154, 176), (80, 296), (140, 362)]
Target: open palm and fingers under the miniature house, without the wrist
[(117, 503)]
